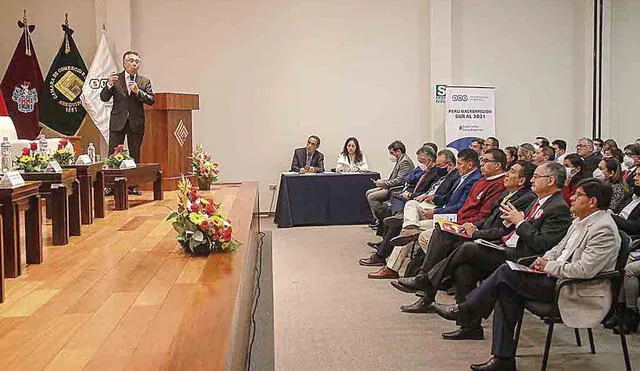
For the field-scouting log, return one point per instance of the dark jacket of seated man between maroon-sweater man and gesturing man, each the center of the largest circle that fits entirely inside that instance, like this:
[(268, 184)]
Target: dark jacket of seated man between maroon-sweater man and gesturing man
[(491, 228)]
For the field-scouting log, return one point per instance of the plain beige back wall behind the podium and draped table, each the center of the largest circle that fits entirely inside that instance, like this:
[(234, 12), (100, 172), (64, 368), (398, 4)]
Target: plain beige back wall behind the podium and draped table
[(270, 73)]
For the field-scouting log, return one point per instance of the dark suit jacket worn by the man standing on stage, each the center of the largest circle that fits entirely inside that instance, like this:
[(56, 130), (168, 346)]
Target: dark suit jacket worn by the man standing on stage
[(128, 106)]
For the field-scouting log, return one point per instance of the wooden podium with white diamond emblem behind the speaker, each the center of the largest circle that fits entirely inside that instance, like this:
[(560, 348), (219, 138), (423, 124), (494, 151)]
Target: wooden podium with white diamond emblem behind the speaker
[(168, 135)]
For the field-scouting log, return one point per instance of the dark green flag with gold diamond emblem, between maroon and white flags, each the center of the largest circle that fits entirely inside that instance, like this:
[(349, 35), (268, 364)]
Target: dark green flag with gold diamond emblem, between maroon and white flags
[(60, 106)]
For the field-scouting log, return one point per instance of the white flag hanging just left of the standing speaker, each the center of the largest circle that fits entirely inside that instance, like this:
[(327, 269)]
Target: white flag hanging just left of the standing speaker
[(102, 67)]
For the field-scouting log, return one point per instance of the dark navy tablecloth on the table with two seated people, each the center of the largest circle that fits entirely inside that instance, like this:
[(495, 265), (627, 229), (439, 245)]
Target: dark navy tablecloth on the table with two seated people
[(324, 199)]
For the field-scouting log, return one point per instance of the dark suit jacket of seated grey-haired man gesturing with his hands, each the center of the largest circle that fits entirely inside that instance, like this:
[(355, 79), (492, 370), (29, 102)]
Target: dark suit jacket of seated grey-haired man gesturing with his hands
[(539, 235)]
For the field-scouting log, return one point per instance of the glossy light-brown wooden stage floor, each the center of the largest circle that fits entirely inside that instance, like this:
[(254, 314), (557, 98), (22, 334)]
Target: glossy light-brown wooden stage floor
[(125, 296)]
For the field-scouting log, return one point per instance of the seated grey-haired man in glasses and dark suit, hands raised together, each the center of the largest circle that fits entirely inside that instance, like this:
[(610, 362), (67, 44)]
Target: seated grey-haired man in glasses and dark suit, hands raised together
[(533, 232)]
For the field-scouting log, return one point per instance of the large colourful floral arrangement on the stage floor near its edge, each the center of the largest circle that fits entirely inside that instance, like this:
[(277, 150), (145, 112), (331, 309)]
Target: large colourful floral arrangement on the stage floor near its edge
[(201, 226)]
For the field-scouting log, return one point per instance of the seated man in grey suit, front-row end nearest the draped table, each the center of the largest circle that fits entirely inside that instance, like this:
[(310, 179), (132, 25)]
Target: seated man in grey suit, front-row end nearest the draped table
[(403, 166)]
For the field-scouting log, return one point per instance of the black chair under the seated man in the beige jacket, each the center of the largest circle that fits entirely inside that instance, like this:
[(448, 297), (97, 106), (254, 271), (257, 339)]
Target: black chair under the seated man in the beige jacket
[(550, 313)]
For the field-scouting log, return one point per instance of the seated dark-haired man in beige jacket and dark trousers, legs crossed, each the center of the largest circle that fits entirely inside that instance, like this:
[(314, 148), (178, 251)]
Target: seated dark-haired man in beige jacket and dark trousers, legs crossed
[(590, 247)]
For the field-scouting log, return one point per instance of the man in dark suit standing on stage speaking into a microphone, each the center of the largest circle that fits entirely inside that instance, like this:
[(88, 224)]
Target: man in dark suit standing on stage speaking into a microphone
[(129, 91)]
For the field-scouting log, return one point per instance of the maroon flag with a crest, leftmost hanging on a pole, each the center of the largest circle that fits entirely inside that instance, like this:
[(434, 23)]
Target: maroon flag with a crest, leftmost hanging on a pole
[(21, 85)]
